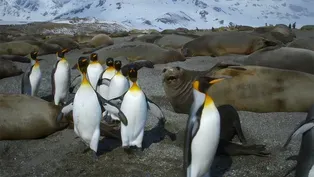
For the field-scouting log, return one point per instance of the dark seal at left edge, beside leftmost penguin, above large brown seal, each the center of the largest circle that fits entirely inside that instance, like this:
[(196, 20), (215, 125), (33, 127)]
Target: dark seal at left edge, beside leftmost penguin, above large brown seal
[(9, 69)]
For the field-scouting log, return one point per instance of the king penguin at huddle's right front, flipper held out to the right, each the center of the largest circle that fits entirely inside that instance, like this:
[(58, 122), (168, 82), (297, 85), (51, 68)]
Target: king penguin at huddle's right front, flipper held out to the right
[(135, 105)]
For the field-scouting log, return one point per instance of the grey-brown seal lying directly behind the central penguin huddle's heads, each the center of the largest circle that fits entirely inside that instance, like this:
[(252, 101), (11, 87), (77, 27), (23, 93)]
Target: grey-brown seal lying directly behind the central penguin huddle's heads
[(139, 51)]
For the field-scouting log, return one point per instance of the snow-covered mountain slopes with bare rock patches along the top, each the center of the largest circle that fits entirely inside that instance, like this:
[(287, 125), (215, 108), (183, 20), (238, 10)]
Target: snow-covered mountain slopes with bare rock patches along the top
[(161, 14)]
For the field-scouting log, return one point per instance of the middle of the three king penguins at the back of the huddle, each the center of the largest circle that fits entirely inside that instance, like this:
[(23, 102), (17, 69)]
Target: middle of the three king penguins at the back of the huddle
[(108, 73)]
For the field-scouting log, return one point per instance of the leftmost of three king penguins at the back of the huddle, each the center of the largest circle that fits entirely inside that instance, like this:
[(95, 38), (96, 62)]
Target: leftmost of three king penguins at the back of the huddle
[(94, 70)]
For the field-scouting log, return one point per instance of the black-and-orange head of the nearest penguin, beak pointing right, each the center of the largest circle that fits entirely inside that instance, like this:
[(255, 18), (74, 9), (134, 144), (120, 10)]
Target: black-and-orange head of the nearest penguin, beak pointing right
[(202, 84)]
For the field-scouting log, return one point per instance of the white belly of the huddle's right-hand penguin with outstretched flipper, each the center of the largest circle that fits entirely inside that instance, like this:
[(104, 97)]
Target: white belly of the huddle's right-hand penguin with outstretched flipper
[(134, 107)]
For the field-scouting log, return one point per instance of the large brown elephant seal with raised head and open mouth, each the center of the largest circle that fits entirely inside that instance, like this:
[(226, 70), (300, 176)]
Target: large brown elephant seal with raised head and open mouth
[(251, 88)]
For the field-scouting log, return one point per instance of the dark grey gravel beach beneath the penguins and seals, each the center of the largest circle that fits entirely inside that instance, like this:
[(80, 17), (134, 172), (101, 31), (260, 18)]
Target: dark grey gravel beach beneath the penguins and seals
[(61, 154)]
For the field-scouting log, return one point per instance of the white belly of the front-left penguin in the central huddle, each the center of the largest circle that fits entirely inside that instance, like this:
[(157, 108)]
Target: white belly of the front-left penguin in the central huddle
[(87, 113)]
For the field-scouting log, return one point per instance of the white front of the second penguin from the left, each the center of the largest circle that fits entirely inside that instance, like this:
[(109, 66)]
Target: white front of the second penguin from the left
[(61, 81)]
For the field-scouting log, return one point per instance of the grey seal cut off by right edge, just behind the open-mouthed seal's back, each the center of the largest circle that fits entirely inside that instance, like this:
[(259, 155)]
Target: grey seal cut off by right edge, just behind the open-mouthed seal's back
[(289, 58)]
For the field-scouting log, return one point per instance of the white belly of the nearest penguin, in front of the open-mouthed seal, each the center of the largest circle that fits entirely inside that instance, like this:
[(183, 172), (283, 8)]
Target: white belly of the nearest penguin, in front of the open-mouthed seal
[(205, 142)]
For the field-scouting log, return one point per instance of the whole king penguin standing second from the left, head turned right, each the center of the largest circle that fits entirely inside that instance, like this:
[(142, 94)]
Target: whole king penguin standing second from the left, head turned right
[(60, 78)]
